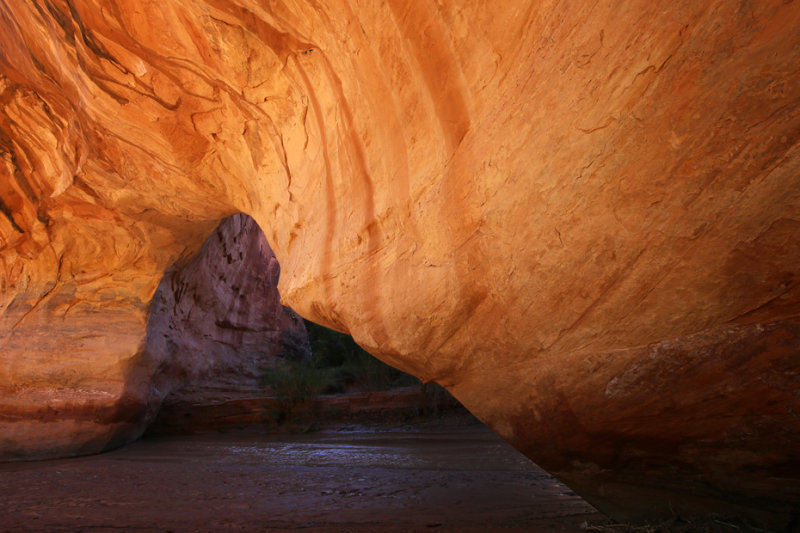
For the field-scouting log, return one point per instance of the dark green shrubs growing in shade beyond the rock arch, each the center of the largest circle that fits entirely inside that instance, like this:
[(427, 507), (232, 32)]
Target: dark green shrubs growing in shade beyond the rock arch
[(337, 365)]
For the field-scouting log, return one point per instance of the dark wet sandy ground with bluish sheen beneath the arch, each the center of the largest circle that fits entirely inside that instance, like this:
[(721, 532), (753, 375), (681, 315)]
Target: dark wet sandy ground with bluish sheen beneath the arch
[(465, 480)]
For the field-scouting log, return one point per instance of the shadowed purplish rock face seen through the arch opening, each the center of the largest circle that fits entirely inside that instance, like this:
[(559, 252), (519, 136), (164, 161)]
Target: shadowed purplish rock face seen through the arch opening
[(217, 323)]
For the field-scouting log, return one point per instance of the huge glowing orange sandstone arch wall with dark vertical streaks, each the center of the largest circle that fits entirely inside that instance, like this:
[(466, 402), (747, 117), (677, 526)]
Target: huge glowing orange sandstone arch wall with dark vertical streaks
[(582, 219)]
